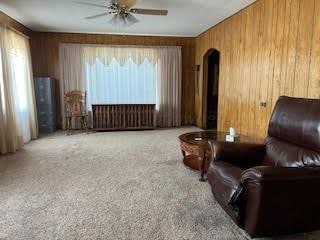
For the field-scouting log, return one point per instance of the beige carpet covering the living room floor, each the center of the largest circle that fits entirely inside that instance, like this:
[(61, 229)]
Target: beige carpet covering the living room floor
[(110, 185)]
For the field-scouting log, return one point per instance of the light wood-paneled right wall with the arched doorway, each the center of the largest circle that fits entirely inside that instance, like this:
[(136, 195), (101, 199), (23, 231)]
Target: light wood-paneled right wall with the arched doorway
[(269, 49)]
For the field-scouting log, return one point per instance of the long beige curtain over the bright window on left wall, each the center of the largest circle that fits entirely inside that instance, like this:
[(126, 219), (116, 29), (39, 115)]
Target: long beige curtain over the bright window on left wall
[(18, 122)]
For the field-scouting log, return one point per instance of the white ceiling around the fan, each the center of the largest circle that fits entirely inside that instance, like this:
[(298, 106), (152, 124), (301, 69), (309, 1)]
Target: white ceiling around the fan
[(185, 18)]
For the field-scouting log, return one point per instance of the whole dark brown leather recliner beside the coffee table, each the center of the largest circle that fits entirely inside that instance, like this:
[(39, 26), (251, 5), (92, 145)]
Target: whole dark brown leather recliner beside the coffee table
[(273, 188)]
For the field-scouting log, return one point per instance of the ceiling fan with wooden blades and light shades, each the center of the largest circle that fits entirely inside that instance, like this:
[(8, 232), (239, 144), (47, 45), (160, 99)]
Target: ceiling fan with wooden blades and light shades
[(123, 12)]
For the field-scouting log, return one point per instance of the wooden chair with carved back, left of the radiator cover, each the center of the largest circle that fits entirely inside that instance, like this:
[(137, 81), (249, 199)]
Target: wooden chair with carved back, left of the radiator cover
[(75, 105)]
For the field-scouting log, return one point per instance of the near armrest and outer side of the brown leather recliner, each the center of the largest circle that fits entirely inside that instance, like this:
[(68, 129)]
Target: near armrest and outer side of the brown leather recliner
[(279, 199)]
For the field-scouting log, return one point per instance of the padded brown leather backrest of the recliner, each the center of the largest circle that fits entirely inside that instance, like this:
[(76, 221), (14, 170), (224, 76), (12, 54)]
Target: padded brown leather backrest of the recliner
[(294, 133)]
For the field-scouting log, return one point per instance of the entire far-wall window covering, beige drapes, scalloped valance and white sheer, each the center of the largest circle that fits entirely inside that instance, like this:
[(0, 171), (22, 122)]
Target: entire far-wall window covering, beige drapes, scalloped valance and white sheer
[(125, 74)]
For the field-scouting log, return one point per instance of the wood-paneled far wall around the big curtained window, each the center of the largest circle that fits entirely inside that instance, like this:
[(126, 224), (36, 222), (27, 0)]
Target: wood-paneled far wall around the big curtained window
[(45, 56)]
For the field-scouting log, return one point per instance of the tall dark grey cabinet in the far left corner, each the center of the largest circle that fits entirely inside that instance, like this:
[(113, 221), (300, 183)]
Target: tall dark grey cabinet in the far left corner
[(46, 104)]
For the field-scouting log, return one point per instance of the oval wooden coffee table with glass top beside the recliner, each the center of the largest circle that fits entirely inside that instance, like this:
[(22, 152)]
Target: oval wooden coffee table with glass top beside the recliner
[(197, 152)]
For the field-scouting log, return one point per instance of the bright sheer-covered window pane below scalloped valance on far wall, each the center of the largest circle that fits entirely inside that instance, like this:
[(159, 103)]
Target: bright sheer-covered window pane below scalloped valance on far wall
[(121, 84)]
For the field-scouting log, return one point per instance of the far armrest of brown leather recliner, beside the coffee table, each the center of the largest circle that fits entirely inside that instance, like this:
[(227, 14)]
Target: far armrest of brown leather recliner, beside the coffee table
[(241, 154)]
